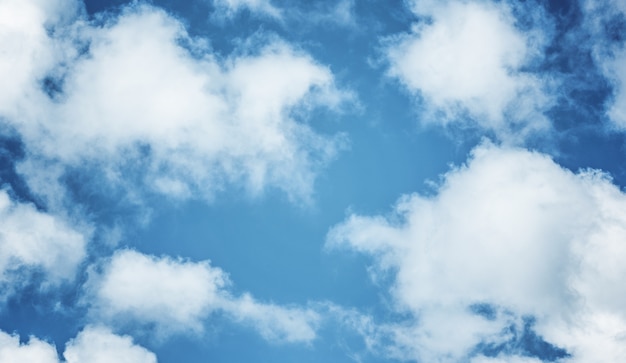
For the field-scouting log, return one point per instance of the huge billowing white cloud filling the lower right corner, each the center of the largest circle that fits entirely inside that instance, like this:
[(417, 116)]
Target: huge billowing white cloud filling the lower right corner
[(511, 244)]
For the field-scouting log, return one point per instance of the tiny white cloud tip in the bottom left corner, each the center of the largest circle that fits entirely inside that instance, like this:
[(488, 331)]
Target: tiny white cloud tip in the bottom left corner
[(36, 351)]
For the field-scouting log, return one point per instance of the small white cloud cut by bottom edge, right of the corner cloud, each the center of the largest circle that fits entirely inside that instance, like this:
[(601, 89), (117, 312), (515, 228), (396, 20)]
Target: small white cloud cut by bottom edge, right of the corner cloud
[(99, 345)]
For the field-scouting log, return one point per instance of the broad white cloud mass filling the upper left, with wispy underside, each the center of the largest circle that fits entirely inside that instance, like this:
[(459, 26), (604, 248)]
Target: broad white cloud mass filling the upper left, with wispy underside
[(137, 98)]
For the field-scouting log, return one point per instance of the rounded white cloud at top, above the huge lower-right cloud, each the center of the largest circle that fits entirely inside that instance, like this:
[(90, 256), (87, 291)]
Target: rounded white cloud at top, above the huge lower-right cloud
[(467, 61)]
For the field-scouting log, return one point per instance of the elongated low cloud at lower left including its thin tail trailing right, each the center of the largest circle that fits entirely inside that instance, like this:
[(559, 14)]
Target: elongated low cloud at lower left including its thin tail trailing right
[(178, 296)]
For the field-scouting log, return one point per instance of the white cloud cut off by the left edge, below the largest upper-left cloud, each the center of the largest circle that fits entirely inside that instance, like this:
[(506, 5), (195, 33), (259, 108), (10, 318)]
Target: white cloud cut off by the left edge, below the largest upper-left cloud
[(32, 240)]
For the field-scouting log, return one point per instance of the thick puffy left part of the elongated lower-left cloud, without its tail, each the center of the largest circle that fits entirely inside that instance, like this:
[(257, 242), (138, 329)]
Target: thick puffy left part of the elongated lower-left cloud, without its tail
[(173, 294)]
